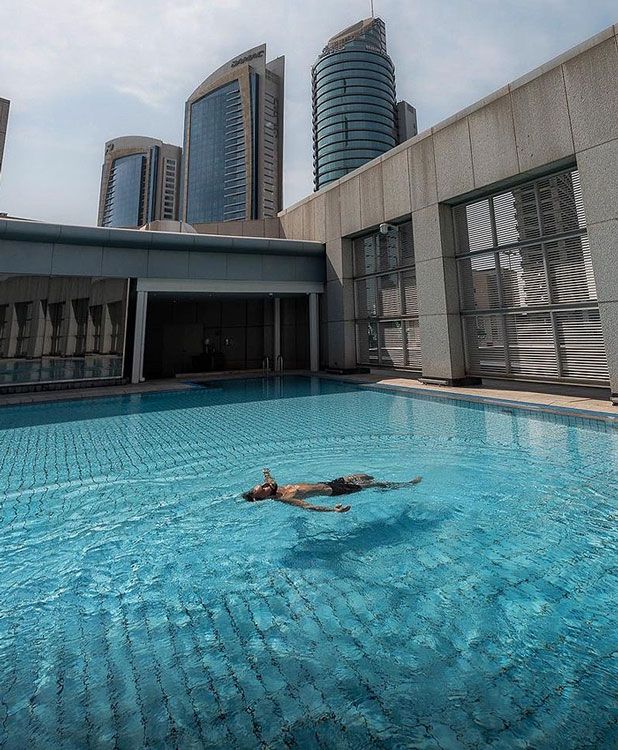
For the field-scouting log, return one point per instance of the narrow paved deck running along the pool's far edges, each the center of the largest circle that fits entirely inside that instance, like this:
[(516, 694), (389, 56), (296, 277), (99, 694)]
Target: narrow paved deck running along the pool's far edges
[(565, 404)]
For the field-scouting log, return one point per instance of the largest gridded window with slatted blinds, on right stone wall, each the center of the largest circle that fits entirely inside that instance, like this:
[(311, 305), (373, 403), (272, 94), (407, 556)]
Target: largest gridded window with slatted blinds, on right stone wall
[(527, 292)]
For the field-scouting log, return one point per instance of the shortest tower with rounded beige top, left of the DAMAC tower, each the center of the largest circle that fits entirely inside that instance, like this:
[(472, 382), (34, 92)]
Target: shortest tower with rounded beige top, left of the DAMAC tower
[(140, 182)]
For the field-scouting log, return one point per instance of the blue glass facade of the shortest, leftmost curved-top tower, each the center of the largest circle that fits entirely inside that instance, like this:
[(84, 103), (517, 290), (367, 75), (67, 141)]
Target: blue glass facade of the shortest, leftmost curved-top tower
[(124, 201)]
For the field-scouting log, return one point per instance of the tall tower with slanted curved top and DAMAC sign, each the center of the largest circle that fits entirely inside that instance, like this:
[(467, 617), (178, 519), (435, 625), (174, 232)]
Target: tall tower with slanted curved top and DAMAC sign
[(233, 143)]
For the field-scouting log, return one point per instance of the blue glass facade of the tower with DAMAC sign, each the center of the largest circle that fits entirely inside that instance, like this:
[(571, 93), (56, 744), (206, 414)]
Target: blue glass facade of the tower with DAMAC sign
[(217, 164)]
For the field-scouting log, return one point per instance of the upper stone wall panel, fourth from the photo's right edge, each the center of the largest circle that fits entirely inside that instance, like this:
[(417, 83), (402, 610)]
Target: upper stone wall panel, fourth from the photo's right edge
[(453, 160)]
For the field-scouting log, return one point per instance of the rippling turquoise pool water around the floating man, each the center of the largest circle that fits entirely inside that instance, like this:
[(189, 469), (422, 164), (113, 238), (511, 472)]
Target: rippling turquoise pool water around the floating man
[(143, 604)]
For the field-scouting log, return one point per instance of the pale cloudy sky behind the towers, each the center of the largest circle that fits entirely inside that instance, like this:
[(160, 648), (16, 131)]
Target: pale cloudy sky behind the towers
[(79, 73)]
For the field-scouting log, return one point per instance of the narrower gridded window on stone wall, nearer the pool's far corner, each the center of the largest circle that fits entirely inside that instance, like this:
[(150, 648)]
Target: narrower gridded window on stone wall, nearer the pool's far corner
[(387, 332)]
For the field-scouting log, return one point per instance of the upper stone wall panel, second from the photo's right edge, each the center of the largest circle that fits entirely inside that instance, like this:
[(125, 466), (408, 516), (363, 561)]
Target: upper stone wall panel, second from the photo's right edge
[(542, 125)]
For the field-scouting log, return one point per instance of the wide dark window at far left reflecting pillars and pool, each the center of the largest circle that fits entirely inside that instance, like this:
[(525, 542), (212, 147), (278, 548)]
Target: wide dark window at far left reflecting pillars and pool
[(61, 328)]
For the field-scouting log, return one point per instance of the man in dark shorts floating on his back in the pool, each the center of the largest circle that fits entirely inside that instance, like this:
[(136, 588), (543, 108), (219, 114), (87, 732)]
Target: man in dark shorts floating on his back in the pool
[(297, 494)]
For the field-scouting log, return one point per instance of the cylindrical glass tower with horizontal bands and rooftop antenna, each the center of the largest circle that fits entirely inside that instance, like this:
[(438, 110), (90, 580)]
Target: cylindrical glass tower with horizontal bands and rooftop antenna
[(355, 110)]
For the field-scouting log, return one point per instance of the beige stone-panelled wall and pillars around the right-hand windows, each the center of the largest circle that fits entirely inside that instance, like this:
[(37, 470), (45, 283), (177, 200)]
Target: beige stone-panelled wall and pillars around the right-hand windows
[(565, 112)]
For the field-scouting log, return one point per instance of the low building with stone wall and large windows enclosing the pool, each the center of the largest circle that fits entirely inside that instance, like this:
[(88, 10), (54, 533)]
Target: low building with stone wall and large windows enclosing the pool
[(483, 248)]
